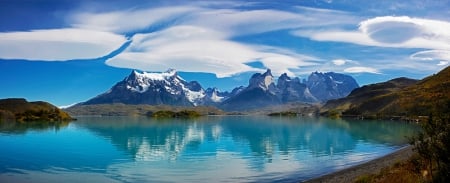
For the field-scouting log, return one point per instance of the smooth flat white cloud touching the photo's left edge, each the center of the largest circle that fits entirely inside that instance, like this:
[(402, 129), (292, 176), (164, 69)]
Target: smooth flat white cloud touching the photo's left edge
[(58, 44)]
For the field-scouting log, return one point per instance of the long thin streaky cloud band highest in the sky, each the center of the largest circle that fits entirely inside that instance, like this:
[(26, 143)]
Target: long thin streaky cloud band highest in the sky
[(233, 21)]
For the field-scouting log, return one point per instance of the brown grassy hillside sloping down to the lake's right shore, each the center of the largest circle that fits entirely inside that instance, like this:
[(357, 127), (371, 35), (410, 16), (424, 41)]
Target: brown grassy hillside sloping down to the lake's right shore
[(397, 97)]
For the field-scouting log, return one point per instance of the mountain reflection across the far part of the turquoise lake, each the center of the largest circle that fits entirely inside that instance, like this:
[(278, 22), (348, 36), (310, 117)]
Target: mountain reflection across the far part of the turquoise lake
[(146, 139)]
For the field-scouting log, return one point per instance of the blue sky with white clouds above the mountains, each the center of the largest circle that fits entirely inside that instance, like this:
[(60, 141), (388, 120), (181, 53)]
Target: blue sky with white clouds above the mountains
[(65, 51)]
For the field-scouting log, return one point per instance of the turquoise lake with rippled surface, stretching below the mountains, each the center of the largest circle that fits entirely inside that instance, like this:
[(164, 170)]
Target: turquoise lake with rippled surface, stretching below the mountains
[(208, 149)]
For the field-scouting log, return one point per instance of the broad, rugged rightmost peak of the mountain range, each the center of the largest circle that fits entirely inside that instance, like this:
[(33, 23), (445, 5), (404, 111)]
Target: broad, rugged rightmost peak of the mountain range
[(330, 85)]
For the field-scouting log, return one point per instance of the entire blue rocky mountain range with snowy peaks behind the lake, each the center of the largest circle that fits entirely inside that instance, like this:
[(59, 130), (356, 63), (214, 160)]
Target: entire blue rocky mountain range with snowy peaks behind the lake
[(168, 88)]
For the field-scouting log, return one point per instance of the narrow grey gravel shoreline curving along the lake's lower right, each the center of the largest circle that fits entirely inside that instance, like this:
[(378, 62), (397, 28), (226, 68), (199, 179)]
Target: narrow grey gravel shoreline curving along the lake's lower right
[(370, 167)]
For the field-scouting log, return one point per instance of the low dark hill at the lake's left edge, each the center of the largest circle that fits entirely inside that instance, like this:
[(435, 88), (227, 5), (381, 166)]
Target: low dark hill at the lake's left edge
[(20, 110)]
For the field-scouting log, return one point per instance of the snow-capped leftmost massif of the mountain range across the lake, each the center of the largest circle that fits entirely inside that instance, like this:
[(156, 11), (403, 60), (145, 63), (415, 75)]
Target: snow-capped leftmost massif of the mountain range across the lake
[(154, 89)]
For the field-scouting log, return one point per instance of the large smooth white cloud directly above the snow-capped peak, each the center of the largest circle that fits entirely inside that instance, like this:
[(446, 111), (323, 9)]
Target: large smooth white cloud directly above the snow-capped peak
[(198, 49)]
